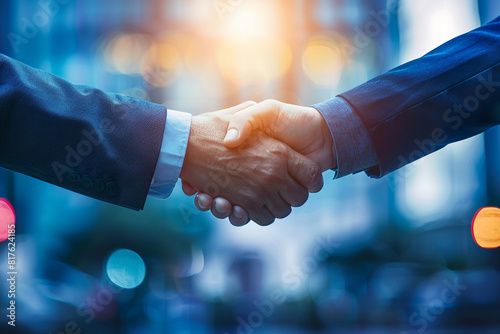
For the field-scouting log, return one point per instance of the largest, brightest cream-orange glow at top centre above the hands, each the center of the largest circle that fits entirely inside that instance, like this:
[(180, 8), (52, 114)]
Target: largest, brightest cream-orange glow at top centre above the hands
[(252, 48)]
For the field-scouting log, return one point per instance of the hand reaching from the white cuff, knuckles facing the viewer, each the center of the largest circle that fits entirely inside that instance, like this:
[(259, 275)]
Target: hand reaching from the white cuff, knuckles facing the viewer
[(263, 176)]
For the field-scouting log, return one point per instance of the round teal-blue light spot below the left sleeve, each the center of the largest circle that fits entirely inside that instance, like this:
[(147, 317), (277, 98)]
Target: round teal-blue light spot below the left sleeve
[(126, 269)]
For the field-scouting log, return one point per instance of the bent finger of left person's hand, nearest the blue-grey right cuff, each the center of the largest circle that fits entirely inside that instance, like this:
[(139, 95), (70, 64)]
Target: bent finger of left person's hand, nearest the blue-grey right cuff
[(305, 171)]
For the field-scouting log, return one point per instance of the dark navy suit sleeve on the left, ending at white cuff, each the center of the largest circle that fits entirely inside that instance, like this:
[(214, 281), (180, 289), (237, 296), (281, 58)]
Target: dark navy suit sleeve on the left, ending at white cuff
[(100, 145)]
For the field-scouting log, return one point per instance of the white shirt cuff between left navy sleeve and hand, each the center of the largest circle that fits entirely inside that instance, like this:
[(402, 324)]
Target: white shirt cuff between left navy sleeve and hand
[(172, 152)]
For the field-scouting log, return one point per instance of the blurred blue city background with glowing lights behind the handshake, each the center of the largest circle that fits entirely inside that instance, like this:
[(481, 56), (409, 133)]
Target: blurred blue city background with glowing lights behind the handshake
[(393, 255)]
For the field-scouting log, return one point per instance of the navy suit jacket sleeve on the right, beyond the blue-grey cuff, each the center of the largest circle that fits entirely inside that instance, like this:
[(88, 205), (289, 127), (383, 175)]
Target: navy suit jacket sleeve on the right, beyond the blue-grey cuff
[(447, 95)]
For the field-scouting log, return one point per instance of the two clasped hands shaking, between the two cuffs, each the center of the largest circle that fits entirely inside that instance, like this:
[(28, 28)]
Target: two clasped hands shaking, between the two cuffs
[(256, 161)]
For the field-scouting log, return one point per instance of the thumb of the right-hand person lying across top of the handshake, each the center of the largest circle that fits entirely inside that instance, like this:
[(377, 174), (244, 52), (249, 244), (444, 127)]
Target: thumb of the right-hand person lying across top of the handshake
[(255, 117)]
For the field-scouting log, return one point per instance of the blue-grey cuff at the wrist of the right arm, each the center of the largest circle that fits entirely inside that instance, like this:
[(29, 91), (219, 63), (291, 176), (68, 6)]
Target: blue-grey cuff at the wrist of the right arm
[(352, 145)]
